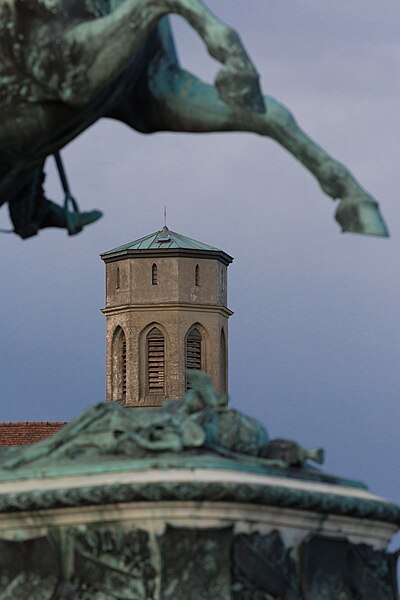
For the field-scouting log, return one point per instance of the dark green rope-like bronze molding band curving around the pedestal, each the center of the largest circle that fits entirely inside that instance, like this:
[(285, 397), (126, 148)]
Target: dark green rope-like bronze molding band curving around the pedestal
[(264, 495)]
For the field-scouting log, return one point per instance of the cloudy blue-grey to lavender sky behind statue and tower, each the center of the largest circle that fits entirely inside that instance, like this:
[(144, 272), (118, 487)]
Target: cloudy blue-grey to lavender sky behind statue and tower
[(314, 341)]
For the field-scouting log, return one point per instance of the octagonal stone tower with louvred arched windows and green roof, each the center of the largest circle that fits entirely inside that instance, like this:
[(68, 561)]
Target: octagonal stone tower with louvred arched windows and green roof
[(166, 311)]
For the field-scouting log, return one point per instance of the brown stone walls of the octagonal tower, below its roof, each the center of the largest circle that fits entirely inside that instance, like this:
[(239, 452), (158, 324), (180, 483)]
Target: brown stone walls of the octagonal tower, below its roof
[(174, 306)]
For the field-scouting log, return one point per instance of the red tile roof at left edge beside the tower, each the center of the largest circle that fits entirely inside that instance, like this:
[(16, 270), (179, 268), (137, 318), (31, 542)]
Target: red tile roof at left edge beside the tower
[(23, 433)]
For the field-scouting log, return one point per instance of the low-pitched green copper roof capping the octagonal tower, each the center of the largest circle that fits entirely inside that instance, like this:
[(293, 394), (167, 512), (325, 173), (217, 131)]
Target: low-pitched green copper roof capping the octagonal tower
[(163, 239)]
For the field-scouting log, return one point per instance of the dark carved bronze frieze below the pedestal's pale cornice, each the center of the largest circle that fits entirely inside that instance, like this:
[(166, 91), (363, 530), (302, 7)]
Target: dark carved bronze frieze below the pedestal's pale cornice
[(106, 562)]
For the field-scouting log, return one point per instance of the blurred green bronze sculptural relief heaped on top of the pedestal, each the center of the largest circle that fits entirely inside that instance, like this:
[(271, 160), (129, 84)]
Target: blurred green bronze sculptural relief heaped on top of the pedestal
[(202, 420)]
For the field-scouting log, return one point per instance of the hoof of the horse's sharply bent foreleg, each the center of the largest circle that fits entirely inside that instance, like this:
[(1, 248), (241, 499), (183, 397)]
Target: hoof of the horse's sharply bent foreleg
[(240, 90)]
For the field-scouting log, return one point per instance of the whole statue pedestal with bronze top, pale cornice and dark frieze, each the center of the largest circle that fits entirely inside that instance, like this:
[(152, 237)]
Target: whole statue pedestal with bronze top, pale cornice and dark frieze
[(184, 503)]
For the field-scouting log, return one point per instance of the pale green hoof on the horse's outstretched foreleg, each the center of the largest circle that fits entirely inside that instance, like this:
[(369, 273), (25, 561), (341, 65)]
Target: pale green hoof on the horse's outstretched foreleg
[(361, 216)]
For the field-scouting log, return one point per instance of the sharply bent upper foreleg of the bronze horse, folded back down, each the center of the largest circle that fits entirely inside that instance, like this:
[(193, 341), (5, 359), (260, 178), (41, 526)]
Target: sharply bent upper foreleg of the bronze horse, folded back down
[(96, 51)]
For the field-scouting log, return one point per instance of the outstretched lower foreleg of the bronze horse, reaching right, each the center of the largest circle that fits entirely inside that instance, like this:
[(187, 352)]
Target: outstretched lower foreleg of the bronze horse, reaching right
[(180, 102)]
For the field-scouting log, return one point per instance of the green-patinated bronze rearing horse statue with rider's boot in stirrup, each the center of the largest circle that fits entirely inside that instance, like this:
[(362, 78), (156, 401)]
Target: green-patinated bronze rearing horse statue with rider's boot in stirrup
[(64, 64)]
